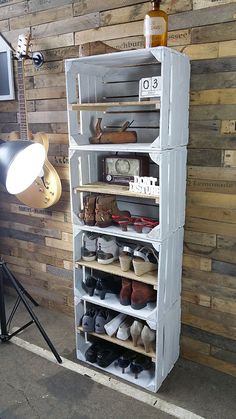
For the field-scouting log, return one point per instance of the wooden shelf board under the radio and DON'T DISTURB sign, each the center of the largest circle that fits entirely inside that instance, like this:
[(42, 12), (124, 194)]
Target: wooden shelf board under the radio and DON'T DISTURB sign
[(102, 187)]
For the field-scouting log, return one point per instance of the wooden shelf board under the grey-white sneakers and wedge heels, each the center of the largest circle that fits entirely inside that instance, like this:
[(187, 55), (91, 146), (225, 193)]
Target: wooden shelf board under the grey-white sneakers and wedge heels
[(114, 269)]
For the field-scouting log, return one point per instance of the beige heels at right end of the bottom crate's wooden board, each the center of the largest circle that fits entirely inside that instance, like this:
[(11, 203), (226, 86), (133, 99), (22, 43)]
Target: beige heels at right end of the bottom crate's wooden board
[(142, 334)]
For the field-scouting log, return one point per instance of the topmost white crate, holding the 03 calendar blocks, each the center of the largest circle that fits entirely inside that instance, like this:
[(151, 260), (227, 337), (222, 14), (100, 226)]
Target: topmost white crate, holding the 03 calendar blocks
[(115, 78)]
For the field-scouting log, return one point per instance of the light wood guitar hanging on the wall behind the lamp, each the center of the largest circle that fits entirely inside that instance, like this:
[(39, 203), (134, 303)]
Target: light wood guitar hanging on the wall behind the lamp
[(46, 189)]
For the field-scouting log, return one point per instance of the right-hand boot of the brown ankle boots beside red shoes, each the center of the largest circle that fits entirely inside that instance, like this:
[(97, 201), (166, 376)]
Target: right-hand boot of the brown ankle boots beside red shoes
[(106, 206)]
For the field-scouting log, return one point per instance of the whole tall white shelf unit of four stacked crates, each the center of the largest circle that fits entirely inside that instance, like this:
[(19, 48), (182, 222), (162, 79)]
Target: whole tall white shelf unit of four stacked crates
[(107, 86)]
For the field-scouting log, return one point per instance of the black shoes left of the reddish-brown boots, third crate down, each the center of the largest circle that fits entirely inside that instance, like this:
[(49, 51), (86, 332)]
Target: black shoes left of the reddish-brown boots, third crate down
[(101, 286)]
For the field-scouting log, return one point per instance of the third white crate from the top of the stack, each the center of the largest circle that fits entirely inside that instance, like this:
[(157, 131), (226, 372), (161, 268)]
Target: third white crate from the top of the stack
[(167, 282)]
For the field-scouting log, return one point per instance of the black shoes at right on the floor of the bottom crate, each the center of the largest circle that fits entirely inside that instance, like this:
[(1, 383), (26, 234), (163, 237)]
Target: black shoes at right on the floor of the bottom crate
[(137, 363)]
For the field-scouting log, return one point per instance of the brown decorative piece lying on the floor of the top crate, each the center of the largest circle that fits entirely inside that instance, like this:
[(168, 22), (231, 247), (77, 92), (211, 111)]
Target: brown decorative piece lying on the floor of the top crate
[(113, 137)]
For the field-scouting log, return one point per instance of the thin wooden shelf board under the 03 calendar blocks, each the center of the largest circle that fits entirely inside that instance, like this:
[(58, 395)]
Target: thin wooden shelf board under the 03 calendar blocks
[(106, 105)]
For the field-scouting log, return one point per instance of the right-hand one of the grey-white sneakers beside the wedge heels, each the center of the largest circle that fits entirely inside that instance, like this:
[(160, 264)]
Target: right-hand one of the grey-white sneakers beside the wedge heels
[(107, 250)]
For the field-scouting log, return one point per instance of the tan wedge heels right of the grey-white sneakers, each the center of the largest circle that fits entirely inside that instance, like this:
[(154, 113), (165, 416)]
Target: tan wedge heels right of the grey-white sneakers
[(143, 259)]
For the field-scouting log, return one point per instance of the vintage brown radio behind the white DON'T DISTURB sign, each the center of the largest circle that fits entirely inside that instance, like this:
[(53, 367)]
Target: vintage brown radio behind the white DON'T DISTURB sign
[(121, 169)]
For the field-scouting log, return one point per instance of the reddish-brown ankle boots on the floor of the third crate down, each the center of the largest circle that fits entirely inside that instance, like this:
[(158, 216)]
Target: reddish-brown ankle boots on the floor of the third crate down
[(141, 295)]
